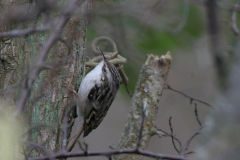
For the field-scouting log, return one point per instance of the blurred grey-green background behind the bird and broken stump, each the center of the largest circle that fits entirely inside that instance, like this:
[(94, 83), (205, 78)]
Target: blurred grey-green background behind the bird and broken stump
[(155, 27)]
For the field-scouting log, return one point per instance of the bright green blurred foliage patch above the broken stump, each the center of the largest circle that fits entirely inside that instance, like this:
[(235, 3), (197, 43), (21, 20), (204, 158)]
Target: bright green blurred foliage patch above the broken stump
[(163, 41)]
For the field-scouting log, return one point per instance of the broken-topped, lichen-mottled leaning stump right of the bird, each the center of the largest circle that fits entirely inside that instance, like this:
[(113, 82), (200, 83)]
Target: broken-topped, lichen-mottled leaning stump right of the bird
[(145, 100)]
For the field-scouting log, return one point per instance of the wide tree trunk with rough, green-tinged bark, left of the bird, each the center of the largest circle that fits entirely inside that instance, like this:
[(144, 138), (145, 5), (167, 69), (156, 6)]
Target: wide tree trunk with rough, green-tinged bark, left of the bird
[(51, 94)]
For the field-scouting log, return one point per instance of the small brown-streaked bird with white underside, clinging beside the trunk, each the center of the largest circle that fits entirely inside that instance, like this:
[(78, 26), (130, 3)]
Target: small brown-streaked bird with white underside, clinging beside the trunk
[(96, 94)]
